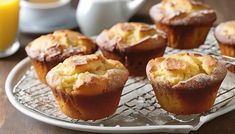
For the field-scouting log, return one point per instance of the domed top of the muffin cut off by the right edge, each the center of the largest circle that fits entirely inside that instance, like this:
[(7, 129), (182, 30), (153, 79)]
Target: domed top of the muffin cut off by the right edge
[(225, 32)]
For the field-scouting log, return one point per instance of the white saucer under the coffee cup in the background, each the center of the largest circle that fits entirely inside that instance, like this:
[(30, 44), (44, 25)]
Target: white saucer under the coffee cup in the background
[(69, 23)]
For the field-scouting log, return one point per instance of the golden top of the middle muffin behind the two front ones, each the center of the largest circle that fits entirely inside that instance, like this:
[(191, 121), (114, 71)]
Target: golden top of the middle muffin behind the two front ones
[(131, 37)]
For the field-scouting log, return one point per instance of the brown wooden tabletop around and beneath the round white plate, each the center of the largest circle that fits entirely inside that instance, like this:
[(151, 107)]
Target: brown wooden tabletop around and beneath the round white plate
[(14, 122)]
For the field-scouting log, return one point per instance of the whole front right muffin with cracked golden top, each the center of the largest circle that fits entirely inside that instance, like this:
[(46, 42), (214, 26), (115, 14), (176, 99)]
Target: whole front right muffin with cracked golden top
[(186, 83)]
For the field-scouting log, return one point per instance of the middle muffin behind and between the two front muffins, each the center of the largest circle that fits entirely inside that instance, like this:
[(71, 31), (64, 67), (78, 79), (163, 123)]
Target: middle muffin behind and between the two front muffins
[(134, 44)]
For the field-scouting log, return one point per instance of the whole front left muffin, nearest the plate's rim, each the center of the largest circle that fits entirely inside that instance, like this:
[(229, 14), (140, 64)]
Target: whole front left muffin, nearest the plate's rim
[(88, 87)]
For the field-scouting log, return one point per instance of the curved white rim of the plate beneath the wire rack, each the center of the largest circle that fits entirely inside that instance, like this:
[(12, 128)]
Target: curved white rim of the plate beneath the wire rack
[(20, 69)]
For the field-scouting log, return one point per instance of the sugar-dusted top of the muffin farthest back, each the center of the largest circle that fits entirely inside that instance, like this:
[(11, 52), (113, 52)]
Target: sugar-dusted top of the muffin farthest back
[(182, 12)]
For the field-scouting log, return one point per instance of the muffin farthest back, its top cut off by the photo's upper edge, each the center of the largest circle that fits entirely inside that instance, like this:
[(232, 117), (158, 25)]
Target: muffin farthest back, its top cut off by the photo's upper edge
[(186, 22)]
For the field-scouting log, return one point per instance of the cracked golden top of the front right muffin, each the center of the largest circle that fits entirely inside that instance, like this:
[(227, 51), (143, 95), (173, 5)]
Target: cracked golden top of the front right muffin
[(186, 69)]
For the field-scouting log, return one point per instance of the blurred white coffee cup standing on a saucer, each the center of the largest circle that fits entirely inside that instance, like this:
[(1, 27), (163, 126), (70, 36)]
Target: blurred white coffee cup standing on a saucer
[(44, 15)]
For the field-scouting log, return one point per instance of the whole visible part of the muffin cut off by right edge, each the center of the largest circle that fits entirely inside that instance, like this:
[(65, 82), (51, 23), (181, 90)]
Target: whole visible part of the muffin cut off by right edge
[(225, 35)]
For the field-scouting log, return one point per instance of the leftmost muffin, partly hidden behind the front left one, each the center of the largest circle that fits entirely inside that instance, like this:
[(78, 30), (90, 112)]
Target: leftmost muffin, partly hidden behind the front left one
[(47, 51)]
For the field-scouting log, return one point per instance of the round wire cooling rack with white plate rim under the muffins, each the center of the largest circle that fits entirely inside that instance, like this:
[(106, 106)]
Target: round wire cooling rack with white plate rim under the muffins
[(138, 109)]
